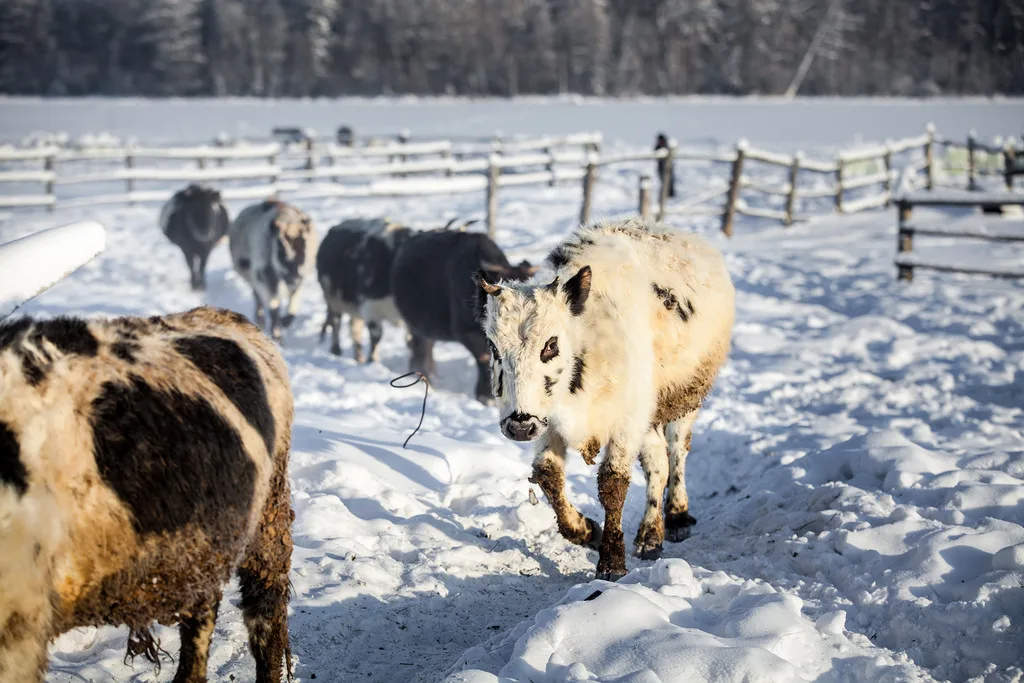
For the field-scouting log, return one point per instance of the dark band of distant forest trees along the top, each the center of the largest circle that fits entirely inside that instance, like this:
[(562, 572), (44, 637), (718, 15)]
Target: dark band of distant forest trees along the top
[(507, 48)]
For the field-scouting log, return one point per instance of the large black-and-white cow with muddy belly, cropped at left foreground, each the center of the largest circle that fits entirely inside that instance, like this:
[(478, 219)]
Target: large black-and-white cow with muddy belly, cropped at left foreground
[(143, 461)]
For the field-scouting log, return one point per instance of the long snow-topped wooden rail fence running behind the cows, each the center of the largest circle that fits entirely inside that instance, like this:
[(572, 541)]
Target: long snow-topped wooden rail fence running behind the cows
[(396, 169)]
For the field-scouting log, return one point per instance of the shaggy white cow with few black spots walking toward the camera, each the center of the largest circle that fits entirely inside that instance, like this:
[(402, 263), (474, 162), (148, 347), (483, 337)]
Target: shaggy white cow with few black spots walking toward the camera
[(616, 350)]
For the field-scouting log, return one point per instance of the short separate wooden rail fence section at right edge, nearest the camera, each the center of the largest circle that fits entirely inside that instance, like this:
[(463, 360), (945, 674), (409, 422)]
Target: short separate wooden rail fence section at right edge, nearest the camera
[(972, 228)]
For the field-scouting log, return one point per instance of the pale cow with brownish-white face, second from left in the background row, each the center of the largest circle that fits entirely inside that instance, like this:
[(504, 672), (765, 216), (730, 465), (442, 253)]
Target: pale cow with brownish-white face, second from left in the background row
[(273, 244)]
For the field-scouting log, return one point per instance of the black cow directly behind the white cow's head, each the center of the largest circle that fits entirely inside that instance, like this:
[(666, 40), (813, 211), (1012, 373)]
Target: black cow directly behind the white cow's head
[(434, 289)]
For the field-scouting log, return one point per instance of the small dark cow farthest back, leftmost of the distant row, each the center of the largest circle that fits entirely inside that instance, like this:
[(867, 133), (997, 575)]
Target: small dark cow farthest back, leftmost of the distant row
[(195, 220)]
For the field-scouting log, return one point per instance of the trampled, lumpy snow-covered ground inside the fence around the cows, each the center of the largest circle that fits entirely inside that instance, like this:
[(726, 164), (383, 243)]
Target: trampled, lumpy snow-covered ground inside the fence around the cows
[(858, 476)]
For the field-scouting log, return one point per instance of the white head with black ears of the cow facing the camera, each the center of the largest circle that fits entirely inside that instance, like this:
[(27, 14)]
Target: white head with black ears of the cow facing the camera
[(536, 348)]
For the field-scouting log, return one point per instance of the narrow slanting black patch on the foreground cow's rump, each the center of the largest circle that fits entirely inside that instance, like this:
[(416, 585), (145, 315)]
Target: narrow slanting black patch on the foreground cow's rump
[(235, 374)]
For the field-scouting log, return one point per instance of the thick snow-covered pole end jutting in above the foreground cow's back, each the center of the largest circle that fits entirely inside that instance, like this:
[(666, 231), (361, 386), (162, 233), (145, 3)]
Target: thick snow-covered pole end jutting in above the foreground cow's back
[(36, 263)]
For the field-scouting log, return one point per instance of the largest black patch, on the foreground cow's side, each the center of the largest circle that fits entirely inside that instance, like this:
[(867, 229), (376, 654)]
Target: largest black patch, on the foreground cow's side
[(172, 459)]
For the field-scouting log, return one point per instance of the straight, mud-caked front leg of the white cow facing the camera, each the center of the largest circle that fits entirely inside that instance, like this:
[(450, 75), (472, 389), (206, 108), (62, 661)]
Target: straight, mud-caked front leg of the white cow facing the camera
[(613, 483)]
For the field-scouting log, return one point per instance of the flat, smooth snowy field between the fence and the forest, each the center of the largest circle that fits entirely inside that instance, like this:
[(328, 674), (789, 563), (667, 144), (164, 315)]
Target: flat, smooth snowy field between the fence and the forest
[(765, 121)]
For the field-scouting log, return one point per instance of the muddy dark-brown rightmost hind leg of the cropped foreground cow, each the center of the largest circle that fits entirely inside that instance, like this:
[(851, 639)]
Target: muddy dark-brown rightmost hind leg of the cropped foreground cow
[(264, 582)]
